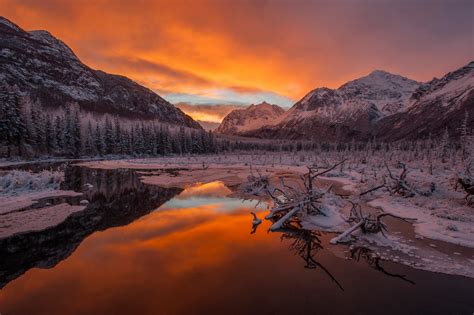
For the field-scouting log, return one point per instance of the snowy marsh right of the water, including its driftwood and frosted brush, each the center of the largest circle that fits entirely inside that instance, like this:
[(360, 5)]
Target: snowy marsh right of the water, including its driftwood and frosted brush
[(403, 203)]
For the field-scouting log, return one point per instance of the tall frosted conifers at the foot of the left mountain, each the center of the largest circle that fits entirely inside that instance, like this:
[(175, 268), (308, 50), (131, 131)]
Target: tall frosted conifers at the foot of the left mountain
[(28, 130)]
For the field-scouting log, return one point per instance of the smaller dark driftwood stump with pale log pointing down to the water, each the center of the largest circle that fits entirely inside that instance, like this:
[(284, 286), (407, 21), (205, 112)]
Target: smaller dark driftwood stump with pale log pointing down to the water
[(368, 223)]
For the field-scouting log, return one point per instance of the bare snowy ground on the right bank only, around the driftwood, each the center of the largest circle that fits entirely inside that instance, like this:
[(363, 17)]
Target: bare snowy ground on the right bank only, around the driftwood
[(440, 240)]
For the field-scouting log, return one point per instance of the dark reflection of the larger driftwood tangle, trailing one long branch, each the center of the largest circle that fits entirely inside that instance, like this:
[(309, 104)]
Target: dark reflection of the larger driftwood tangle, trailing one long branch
[(306, 244)]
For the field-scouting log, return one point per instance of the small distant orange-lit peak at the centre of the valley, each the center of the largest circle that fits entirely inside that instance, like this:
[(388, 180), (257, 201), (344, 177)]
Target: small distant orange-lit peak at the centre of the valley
[(242, 121)]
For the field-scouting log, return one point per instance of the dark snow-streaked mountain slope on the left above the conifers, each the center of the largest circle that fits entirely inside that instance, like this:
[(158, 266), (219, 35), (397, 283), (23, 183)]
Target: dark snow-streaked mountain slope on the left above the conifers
[(48, 71)]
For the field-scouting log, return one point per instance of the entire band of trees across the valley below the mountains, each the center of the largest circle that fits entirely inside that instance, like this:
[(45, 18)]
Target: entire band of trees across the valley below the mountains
[(28, 130)]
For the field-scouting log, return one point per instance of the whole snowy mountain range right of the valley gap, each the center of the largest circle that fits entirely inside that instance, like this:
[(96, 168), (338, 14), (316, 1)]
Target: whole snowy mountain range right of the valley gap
[(383, 105)]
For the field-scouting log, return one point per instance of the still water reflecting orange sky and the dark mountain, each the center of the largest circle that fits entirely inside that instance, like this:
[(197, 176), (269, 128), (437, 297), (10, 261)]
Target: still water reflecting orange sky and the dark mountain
[(140, 249)]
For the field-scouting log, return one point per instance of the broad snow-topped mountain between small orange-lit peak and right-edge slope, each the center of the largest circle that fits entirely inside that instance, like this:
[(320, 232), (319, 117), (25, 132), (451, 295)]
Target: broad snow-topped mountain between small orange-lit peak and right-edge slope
[(350, 111)]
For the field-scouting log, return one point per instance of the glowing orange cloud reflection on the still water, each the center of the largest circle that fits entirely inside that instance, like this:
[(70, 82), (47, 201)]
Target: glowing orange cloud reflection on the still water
[(155, 256)]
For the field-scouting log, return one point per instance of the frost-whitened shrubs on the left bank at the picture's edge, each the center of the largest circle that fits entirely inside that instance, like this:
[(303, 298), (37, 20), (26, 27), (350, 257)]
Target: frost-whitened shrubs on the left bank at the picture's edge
[(17, 181)]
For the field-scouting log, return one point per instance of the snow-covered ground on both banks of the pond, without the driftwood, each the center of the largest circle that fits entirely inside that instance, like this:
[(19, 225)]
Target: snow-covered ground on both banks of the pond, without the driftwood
[(441, 238)]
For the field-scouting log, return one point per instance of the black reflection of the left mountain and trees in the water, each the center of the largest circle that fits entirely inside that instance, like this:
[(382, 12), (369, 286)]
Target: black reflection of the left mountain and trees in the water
[(118, 198)]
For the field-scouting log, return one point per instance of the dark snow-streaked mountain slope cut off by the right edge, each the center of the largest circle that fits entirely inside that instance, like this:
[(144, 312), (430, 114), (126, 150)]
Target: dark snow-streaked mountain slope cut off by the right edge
[(435, 106)]
